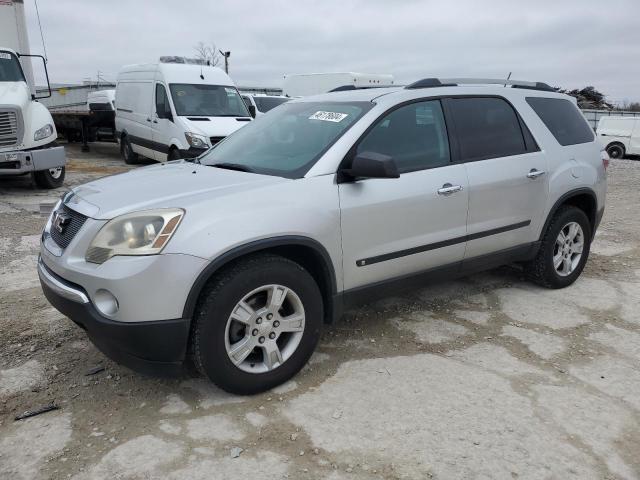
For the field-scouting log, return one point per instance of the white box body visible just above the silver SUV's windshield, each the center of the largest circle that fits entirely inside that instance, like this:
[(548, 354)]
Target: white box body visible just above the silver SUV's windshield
[(302, 85)]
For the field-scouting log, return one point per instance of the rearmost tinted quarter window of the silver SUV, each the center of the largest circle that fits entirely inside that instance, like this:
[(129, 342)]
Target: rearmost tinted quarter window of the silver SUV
[(563, 120)]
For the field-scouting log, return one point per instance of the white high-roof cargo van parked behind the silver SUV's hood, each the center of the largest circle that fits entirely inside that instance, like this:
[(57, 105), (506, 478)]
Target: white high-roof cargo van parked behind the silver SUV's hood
[(167, 111)]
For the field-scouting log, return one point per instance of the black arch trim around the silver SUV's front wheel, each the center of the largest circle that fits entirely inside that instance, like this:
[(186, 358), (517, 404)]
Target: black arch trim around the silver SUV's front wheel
[(257, 246)]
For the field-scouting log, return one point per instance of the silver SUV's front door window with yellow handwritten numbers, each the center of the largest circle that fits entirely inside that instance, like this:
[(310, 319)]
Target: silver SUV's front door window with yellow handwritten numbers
[(414, 135)]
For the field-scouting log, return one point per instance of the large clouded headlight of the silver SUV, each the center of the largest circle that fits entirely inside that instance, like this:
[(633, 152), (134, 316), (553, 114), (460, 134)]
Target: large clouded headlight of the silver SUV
[(138, 233)]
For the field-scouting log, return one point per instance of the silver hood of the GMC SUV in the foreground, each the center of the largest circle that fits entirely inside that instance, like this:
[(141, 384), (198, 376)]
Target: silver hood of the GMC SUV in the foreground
[(172, 184)]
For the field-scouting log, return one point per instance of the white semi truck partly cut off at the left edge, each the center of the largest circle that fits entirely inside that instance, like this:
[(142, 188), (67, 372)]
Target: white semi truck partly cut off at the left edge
[(27, 131)]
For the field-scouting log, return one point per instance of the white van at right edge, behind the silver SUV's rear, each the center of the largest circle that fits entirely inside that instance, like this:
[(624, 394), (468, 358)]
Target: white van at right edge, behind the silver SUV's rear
[(620, 136)]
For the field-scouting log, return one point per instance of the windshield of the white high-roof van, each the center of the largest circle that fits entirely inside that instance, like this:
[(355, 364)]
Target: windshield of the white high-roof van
[(207, 101)]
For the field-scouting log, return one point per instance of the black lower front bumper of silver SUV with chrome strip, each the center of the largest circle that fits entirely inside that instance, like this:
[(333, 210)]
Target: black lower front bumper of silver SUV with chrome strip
[(151, 347)]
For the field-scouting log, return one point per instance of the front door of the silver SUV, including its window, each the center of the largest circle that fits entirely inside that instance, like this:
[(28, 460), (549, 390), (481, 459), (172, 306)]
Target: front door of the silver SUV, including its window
[(396, 227)]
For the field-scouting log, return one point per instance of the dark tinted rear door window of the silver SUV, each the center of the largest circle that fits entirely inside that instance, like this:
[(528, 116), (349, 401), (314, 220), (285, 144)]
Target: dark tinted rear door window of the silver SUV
[(486, 128)]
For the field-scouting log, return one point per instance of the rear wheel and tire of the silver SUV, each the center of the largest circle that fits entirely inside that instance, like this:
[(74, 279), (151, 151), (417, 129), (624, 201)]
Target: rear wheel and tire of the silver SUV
[(544, 269)]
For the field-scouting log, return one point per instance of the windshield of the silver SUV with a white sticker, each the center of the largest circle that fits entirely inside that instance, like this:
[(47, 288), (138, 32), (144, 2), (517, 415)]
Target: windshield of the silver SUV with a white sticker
[(287, 141)]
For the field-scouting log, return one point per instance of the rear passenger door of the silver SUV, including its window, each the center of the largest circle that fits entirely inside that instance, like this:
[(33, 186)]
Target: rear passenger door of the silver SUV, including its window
[(508, 180)]
